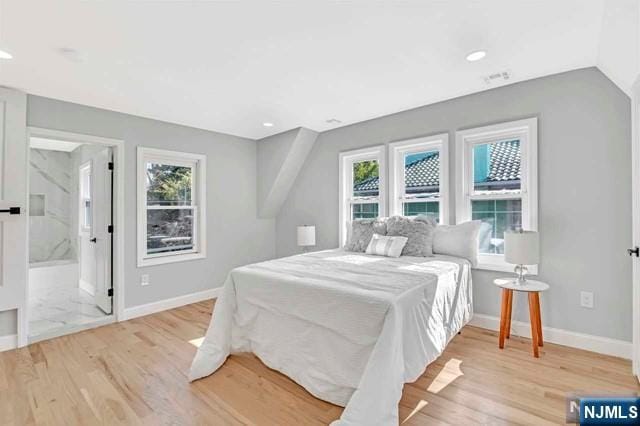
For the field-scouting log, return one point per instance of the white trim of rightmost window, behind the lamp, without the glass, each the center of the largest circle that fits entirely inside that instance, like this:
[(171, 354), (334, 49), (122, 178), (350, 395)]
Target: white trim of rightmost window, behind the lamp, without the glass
[(526, 131)]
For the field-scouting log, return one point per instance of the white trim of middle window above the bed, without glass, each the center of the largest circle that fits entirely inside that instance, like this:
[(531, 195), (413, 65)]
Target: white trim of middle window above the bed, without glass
[(397, 151)]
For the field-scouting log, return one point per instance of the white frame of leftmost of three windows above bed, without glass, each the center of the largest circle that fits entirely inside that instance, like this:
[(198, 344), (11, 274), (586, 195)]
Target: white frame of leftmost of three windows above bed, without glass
[(346, 160)]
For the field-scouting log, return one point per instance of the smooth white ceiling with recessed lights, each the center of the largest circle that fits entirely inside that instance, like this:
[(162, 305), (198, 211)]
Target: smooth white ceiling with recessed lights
[(230, 66)]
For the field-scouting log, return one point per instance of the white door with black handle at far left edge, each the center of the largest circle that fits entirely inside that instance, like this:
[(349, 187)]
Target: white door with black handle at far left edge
[(13, 200)]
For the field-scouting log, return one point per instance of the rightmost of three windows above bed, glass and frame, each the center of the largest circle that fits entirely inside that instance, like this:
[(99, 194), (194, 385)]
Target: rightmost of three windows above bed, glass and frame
[(498, 184)]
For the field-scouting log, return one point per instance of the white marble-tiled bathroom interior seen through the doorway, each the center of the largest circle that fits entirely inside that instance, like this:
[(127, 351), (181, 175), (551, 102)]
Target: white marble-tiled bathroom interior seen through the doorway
[(64, 253)]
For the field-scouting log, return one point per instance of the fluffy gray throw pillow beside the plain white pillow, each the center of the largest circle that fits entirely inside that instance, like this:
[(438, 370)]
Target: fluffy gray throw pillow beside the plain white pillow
[(419, 234)]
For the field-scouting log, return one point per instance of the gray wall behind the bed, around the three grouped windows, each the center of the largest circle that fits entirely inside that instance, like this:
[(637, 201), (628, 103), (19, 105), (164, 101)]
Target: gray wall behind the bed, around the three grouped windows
[(584, 190)]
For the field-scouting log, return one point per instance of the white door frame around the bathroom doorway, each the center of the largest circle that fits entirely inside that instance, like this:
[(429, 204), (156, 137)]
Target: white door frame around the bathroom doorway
[(118, 219)]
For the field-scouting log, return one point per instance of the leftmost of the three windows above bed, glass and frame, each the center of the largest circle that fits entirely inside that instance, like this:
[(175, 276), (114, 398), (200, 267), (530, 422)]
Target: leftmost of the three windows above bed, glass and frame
[(362, 192)]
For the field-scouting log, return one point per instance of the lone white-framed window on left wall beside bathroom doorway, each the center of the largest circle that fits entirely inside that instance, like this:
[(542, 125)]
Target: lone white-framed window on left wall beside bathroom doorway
[(171, 206)]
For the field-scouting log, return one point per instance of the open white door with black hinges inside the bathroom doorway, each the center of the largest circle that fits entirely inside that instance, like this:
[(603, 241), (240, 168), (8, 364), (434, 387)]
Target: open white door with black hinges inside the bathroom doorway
[(101, 236)]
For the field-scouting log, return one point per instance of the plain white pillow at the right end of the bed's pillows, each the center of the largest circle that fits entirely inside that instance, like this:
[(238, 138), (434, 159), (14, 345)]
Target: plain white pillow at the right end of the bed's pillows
[(458, 240)]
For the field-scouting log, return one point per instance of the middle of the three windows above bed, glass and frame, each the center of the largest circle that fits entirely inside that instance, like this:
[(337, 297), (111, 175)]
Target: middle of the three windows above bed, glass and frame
[(418, 178)]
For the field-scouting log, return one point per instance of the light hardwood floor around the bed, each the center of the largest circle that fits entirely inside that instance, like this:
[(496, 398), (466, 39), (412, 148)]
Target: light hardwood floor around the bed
[(135, 372)]
